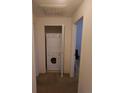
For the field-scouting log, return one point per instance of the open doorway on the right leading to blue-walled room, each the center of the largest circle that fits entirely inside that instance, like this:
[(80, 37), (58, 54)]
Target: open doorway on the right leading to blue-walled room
[(76, 47)]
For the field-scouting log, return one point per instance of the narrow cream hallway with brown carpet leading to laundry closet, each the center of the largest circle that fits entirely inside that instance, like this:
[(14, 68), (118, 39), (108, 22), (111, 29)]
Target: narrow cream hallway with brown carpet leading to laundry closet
[(64, 13)]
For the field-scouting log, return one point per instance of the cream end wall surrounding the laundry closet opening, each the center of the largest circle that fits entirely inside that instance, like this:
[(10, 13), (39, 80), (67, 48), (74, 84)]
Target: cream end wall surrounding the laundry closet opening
[(40, 40)]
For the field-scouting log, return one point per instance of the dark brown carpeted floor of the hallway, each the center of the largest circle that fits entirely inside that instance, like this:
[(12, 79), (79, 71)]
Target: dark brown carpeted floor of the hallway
[(53, 83)]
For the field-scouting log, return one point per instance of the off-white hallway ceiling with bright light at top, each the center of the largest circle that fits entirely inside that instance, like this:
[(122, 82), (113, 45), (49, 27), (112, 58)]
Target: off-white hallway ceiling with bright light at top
[(55, 7)]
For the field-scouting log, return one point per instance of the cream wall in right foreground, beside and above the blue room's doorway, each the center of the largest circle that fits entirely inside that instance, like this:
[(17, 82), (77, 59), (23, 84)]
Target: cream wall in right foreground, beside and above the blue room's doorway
[(85, 77)]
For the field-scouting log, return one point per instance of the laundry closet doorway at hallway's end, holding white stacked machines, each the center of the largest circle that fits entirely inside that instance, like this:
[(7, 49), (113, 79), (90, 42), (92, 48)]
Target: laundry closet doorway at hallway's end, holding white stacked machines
[(54, 42)]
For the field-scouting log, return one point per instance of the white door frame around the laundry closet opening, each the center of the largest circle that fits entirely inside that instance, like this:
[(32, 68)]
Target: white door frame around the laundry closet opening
[(62, 48)]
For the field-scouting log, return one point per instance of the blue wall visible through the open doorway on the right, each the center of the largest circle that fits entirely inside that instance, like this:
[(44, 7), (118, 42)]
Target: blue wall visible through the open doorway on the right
[(79, 27)]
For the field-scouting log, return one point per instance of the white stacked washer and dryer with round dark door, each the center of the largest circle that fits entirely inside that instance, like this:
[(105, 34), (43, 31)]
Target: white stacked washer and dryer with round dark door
[(53, 50)]
